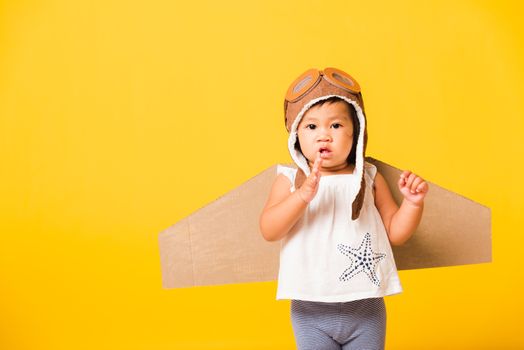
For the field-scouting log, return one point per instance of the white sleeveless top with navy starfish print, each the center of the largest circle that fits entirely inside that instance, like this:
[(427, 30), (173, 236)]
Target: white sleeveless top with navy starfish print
[(330, 258)]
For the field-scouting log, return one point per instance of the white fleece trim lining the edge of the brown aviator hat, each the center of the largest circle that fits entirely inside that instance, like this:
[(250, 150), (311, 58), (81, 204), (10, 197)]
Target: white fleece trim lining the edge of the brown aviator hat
[(302, 162)]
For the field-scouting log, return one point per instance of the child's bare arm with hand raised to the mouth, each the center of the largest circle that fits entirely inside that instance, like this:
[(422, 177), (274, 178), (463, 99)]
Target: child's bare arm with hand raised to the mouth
[(283, 208)]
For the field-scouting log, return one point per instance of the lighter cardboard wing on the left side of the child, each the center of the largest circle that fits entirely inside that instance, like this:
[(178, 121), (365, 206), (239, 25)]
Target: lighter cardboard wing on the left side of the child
[(221, 243)]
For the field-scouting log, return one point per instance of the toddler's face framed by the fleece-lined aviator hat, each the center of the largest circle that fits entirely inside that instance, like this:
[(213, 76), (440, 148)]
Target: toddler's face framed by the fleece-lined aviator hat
[(330, 127)]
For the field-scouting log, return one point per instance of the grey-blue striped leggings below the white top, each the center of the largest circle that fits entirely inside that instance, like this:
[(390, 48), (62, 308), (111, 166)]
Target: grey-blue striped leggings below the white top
[(353, 325)]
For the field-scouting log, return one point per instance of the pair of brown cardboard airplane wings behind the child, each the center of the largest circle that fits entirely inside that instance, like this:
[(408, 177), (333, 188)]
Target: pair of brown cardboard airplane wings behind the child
[(221, 243)]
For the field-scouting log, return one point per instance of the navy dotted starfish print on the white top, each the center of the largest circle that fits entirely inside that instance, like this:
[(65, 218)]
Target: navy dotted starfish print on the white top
[(363, 259)]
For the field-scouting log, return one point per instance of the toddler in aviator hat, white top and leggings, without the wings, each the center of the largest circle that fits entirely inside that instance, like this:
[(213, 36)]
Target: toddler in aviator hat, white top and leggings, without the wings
[(336, 218)]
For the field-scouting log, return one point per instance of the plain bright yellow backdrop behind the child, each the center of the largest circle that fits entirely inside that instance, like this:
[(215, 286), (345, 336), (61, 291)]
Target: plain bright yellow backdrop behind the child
[(120, 118)]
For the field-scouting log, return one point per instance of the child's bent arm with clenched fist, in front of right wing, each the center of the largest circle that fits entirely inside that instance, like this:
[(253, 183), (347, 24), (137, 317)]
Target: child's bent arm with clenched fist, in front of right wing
[(400, 223)]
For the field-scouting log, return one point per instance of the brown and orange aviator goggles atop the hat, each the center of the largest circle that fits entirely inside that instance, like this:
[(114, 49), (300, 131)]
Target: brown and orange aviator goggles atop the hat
[(309, 79)]
